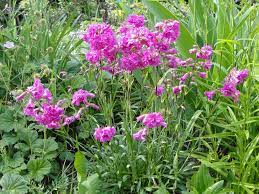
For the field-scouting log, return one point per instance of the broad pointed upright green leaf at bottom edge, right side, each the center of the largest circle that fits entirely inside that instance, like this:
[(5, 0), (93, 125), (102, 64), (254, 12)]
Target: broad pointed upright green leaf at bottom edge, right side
[(201, 180)]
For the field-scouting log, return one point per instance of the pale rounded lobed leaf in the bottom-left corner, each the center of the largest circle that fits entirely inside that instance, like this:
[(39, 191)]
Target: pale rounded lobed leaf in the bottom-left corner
[(13, 184)]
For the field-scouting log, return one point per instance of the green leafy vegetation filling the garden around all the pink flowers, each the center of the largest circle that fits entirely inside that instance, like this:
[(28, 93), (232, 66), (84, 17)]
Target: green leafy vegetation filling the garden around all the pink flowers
[(208, 146)]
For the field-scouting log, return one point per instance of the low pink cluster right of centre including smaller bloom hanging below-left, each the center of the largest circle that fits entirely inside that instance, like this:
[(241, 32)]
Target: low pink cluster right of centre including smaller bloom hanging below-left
[(150, 120)]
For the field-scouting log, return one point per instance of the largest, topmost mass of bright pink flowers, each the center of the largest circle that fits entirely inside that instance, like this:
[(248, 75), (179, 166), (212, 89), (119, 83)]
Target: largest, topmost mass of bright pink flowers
[(133, 47)]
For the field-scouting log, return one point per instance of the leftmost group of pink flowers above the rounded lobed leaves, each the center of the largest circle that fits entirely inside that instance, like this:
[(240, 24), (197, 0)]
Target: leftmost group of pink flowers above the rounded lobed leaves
[(52, 116)]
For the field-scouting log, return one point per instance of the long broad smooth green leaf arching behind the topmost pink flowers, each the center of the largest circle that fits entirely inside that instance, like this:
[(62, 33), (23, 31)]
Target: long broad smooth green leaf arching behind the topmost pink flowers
[(185, 41)]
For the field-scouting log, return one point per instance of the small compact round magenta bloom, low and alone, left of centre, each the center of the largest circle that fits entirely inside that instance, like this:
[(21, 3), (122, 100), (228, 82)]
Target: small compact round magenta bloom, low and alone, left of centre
[(104, 134)]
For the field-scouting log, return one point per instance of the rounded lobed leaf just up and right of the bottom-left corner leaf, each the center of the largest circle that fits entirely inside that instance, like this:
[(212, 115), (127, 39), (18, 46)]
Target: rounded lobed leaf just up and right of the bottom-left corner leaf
[(38, 168)]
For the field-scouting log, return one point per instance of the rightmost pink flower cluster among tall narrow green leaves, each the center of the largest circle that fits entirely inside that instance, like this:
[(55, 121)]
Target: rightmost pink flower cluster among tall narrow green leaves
[(231, 82)]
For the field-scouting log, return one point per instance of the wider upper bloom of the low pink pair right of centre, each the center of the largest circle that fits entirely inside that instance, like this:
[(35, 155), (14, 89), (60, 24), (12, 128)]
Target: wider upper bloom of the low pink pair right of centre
[(152, 120)]
